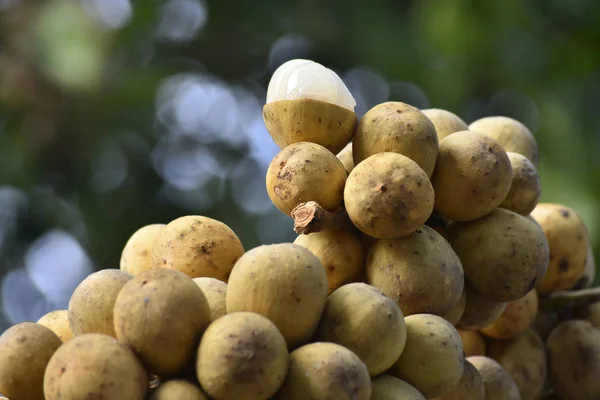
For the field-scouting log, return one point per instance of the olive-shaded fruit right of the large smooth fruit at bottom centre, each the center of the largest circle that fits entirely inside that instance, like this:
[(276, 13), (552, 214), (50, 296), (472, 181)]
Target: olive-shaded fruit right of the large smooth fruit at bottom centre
[(365, 321)]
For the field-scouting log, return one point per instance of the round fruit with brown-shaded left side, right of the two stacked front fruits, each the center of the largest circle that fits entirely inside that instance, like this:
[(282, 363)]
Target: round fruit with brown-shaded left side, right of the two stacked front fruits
[(472, 176)]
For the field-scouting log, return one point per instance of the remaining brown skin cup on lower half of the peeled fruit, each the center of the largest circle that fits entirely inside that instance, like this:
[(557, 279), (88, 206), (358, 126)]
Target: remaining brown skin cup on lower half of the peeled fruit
[(309, 120)]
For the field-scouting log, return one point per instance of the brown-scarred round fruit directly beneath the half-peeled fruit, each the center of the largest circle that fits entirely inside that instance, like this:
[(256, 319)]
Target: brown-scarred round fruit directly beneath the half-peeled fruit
[(304, 172)]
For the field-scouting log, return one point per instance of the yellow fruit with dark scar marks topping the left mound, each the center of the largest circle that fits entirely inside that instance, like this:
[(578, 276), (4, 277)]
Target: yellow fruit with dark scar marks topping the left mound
[(197, 246)]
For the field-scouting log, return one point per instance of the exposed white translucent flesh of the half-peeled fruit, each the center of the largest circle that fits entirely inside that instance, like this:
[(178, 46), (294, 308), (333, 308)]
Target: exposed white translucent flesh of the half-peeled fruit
[(301, 79)]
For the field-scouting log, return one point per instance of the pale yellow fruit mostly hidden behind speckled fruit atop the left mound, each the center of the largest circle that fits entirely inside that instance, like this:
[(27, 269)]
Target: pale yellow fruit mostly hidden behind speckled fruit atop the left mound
[(136, 256)]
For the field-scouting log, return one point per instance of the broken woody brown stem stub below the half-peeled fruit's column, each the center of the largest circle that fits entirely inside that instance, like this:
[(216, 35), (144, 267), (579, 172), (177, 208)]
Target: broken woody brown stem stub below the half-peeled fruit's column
[(310, 217)]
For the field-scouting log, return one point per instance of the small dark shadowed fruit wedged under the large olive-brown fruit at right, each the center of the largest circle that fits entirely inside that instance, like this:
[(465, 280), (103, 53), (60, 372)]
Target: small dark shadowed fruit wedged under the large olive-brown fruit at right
[(479, 311)]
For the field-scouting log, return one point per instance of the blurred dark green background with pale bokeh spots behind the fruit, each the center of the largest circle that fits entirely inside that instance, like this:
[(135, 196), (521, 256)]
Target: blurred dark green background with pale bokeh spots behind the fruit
[(115, 113)]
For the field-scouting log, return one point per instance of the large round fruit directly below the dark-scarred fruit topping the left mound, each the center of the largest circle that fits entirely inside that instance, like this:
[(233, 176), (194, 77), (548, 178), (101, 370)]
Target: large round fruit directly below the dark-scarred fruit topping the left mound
[(165, 348)]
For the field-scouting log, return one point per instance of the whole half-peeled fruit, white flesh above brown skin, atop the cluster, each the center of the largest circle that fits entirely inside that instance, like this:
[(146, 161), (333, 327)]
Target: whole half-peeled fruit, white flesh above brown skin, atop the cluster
[(307, 102)]
